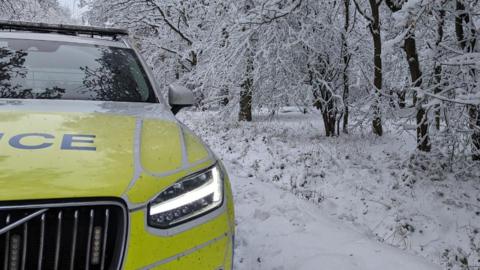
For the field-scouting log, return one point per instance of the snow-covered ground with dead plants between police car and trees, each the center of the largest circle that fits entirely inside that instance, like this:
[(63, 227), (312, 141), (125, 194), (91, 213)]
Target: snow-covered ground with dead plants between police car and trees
[(304, 201)]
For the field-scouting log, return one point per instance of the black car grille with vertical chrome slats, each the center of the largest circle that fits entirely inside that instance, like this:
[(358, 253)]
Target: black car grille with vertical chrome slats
[(63, 236)]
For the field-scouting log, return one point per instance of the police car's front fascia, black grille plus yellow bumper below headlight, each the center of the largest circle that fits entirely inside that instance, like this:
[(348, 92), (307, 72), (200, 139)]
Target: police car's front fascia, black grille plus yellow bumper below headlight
[(70, 234)]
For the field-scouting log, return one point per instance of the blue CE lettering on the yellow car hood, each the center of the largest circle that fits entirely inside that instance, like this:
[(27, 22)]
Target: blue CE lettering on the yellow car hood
[(37, 141)]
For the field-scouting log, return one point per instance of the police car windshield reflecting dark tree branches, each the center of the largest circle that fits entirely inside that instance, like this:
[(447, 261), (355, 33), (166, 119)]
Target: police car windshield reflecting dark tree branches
[(35, 69)]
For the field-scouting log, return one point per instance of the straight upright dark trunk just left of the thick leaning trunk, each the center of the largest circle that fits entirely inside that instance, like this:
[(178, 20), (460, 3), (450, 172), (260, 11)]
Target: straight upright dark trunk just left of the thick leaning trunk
[(378, 75)]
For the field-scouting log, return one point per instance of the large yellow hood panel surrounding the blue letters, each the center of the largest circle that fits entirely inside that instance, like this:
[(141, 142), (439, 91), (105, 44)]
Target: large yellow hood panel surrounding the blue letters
[(52, 173)]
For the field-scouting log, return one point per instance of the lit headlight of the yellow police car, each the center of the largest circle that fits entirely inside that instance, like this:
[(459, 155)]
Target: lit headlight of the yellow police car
[(189, 198)]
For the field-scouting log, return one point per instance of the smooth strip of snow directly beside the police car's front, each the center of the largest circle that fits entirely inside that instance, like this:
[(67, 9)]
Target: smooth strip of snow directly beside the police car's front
[(276, 230)]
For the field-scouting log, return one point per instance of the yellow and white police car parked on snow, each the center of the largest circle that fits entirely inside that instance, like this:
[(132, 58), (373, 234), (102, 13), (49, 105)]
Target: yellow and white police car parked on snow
[(95, 171)]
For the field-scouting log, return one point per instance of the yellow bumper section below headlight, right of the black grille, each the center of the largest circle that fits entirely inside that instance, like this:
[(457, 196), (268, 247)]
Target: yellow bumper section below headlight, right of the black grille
[(205, 246)]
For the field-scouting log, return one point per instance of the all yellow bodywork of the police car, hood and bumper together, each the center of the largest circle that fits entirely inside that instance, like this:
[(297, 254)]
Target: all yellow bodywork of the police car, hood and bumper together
[(116, 169)]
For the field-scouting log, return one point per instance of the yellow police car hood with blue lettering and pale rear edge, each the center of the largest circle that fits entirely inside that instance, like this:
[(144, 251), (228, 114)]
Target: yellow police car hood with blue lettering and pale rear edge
[(77, 149)]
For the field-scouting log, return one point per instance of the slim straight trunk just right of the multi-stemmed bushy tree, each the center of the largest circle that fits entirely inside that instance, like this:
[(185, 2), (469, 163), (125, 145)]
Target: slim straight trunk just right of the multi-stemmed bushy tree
[(346, 61)]
